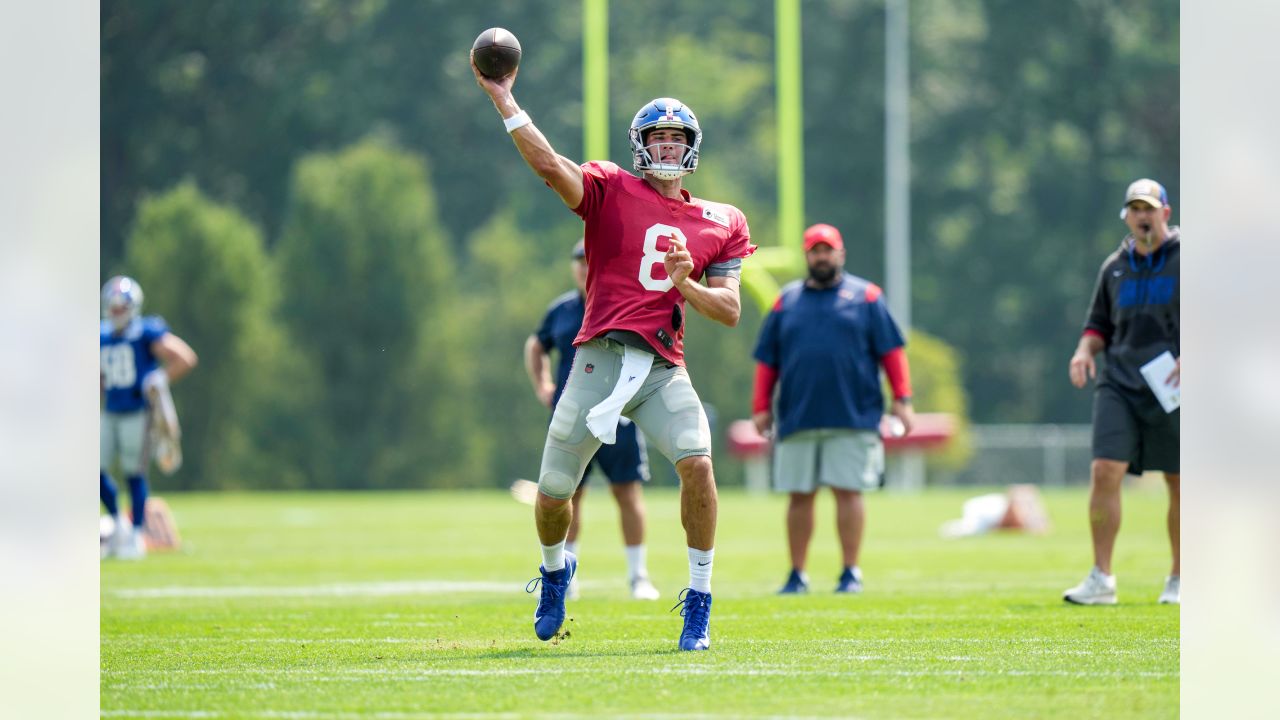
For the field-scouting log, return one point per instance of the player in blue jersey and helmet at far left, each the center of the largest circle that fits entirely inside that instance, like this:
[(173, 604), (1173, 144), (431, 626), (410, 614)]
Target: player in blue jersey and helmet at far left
[(139, 361)]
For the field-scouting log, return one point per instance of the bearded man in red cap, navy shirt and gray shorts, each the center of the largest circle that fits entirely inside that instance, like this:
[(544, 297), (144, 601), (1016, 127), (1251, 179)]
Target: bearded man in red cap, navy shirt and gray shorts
[(824, 345)]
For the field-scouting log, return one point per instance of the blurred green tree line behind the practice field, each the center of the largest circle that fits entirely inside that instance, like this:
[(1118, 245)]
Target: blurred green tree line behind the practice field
[(319, 199)]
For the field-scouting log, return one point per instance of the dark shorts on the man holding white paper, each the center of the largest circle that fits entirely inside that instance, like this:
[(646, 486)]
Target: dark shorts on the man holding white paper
[(1136, 431)]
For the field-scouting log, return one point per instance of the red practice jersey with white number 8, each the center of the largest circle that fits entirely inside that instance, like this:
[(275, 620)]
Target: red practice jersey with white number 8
[(629, 231)]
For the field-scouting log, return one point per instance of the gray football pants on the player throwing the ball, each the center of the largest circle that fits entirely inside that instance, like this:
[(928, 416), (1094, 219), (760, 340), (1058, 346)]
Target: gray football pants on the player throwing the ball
[(666, 409)]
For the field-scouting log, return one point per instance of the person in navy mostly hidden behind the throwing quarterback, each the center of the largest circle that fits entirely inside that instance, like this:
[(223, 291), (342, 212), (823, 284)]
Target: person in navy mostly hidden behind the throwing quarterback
[(625, 464)]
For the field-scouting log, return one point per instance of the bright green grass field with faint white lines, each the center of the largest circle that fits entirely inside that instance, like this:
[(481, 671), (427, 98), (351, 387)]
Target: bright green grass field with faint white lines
[(412, 605)]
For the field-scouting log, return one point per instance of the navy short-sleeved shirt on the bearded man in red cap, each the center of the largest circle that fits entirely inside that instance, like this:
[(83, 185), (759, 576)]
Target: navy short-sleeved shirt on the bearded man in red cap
[(828, 347)]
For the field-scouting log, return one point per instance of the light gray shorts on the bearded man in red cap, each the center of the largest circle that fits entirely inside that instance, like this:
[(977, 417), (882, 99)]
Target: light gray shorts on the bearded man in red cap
[(842, 458)]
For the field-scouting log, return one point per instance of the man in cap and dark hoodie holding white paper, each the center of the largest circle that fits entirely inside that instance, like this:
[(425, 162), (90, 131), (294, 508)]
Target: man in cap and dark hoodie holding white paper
[(1135, 318)]
